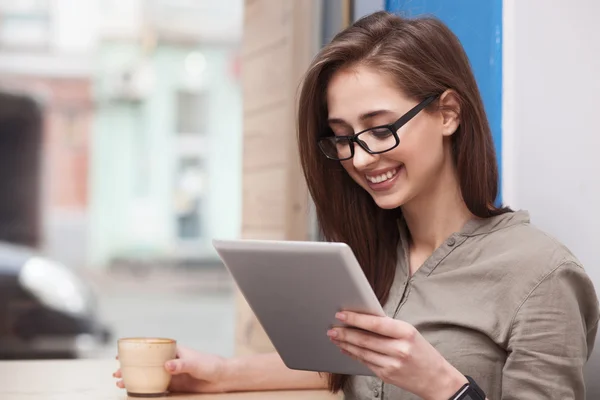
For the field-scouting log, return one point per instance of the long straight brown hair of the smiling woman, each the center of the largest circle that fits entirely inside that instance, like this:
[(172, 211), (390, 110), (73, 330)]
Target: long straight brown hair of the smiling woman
[(424, 58)]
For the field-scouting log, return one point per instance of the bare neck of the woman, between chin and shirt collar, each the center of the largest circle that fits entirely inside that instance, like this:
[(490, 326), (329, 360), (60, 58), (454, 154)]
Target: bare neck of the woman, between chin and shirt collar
[(435, 215)]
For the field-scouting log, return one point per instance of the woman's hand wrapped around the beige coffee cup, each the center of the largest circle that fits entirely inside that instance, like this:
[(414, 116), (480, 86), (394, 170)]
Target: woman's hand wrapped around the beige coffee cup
[(192, 372)]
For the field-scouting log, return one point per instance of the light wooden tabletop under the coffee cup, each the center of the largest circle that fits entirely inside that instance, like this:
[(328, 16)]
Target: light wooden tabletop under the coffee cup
[(92, 380)]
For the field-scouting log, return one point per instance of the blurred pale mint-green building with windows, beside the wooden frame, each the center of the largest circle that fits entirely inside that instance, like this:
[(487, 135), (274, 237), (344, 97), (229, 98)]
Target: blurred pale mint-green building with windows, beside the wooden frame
[(167, 143)]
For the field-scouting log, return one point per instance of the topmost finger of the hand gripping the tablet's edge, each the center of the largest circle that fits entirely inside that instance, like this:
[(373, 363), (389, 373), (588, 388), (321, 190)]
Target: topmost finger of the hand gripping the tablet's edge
[(381, 325)]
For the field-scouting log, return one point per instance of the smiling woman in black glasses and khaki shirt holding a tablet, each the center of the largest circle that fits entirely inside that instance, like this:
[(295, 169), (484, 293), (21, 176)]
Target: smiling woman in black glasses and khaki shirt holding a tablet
[(399, 159)]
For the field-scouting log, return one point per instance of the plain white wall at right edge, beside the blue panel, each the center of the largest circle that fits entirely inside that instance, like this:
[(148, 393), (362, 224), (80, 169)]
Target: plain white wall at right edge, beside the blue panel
[(551, 120)]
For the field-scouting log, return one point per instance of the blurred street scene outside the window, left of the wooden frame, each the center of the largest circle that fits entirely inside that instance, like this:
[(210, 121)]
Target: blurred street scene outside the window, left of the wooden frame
[(121, 132)]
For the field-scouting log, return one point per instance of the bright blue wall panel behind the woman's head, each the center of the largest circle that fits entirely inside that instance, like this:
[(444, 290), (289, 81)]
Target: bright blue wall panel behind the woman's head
[(478, 25)]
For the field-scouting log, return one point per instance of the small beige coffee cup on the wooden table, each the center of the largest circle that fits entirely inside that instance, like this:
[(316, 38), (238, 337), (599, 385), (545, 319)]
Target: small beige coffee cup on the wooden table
[(143, 365)]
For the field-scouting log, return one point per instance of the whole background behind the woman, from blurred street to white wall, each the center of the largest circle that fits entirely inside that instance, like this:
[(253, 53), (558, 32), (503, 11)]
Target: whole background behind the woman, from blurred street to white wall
[(133, 132)]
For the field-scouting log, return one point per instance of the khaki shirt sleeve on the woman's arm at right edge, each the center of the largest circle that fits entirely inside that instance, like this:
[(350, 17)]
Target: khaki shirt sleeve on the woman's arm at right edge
[(551, 338)]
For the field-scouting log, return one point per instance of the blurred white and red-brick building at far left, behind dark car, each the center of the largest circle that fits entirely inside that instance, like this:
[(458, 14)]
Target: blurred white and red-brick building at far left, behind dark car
[(44, 53)]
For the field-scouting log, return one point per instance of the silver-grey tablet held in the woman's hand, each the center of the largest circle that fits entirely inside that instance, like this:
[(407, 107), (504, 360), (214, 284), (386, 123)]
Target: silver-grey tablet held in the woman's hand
[(295, 289)]
